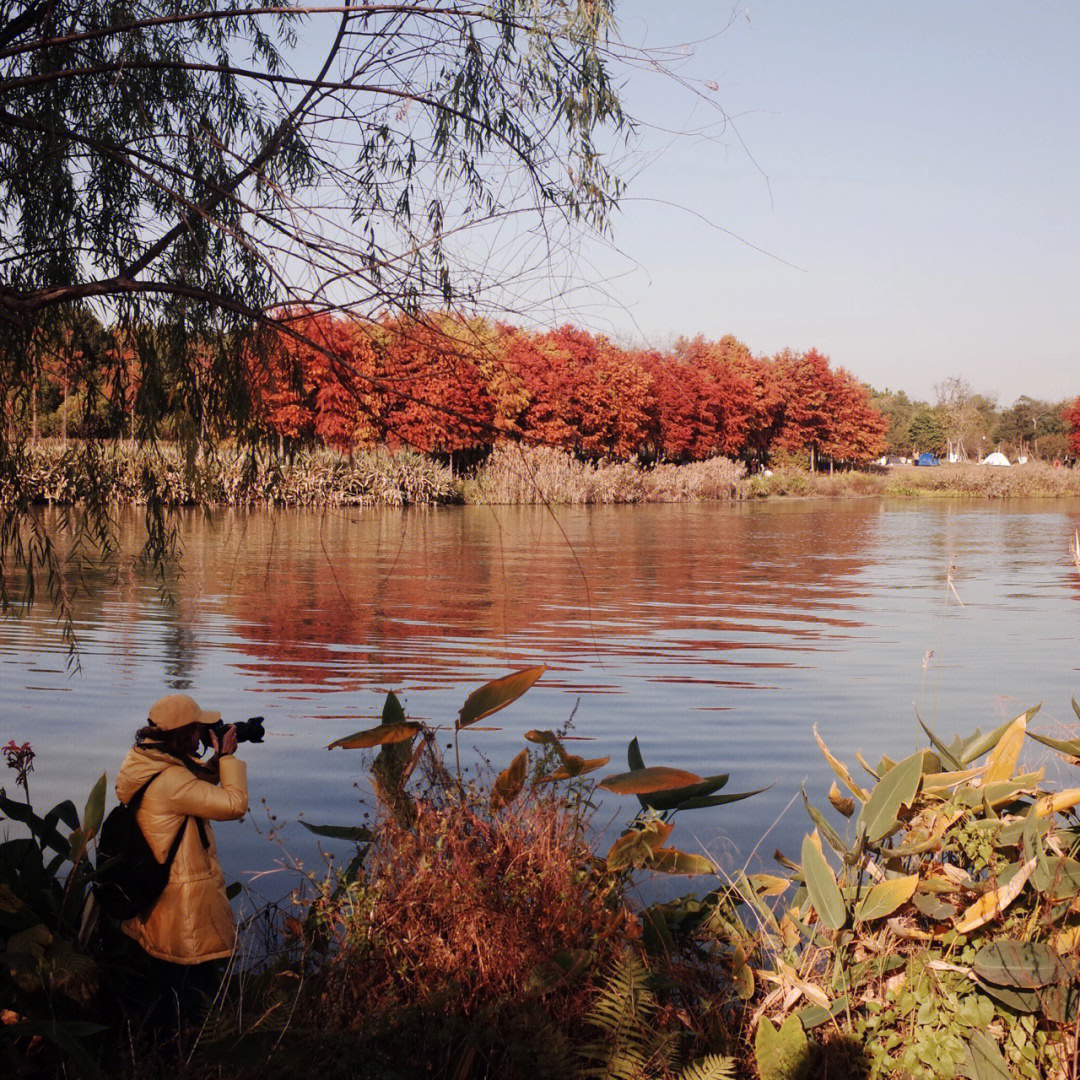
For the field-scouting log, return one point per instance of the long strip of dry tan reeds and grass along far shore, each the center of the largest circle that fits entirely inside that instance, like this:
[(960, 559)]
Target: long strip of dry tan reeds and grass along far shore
[(59, 475)]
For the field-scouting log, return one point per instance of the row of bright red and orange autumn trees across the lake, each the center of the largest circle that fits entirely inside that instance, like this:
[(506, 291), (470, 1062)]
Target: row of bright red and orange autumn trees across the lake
[(443, 384)]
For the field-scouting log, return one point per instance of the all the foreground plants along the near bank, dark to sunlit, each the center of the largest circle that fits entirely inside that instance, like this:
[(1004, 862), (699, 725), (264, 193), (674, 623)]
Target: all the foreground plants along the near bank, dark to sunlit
[(928, 929)]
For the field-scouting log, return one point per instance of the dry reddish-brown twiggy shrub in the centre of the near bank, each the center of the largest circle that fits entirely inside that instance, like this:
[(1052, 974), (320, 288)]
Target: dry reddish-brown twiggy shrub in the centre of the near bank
[(462, 911)]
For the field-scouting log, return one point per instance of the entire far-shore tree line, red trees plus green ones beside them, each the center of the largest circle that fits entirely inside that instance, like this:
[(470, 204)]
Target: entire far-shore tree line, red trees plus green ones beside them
[(455, 389)]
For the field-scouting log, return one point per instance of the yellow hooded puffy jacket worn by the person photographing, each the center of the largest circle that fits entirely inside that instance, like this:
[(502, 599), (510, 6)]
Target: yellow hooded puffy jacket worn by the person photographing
[(192, 921)]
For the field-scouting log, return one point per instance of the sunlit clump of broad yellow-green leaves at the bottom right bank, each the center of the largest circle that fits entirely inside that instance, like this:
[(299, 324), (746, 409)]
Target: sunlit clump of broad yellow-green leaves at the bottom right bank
[(943, 941)]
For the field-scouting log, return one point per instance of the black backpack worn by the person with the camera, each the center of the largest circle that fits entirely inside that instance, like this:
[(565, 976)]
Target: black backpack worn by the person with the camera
[(129, 880)]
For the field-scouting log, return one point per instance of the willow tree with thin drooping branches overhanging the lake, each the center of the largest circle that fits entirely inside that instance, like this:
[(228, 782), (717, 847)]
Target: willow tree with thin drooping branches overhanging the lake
[(193, 174)]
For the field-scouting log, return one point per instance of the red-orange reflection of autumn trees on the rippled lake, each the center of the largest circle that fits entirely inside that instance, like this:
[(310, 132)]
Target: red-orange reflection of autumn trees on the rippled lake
[(384, 598)]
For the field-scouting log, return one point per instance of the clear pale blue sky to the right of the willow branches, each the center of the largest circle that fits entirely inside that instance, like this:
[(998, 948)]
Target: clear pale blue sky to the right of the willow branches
[(922, 171)]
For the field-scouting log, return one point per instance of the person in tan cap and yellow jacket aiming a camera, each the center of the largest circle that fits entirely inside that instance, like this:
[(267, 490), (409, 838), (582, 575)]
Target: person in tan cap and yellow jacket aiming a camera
[(191, 925)]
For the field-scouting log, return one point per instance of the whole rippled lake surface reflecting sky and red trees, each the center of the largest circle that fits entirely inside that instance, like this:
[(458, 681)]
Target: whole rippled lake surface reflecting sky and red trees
[(717, 634)]
